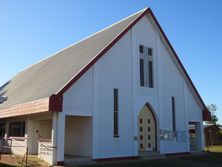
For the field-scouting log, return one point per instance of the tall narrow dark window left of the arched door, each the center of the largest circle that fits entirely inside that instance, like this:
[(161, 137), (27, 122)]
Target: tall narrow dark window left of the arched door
[(115, 116)]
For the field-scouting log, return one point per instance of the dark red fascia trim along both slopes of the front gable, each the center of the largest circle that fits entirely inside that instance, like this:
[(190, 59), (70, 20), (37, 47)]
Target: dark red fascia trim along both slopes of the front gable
[(58, 107)]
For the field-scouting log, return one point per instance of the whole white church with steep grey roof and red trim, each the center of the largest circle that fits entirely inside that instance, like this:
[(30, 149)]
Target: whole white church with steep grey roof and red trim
[(120, 93)]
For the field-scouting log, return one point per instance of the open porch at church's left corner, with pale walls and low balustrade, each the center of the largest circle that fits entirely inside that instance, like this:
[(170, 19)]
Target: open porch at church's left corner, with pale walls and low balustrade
[(54, 137)]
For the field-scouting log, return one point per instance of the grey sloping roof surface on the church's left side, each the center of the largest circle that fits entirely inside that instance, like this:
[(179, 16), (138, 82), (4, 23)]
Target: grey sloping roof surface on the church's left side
[(50, 75)]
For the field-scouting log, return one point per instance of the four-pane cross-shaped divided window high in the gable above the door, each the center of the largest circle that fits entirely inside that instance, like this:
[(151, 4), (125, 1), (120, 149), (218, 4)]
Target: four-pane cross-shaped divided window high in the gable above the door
[(146, 66)]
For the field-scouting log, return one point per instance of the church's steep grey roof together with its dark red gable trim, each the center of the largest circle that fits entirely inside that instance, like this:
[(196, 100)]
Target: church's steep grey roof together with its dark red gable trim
[(54, 75)]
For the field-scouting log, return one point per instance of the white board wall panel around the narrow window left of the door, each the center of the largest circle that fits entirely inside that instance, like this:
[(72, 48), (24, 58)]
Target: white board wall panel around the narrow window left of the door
[(113, 70)]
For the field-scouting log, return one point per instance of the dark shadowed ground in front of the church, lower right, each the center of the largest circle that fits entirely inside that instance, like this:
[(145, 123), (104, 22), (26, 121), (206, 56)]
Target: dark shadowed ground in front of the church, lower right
[(206, 160)]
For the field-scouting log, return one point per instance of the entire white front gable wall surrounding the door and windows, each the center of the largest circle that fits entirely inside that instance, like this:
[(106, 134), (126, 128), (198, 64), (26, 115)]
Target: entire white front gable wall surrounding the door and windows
[(92, 95)]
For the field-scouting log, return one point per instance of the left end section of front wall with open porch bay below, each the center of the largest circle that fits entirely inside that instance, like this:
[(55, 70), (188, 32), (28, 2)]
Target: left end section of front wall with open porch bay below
[(78, 109)]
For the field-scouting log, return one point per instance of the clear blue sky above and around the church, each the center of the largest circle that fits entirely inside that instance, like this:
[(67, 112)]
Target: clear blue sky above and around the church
[(32, 30)]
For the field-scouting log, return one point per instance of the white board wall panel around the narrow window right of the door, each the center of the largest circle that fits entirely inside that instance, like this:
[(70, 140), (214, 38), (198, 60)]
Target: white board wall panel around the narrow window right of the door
[(172, 85)]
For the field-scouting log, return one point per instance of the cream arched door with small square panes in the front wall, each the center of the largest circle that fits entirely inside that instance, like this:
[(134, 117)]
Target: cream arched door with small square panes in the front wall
[(147, 139)]
